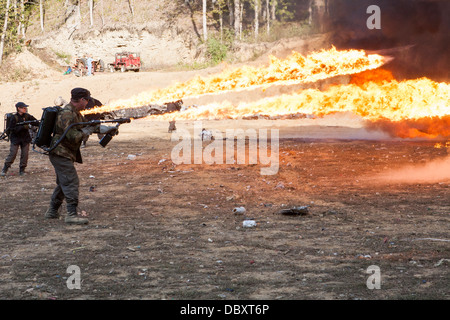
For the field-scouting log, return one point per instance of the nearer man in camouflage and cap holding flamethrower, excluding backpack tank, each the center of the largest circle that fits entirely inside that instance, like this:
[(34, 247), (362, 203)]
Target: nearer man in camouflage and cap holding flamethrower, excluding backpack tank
[(70, 130)]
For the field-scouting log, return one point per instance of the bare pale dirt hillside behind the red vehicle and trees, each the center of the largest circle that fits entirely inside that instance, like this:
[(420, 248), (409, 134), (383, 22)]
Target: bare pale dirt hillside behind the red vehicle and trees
[(167, 34)]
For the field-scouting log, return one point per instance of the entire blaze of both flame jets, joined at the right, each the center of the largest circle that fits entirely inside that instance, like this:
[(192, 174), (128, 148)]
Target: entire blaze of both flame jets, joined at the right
[(406, 109)]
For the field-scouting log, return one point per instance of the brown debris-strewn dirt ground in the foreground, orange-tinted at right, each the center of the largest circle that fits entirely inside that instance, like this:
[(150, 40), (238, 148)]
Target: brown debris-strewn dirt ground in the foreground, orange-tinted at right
[(164, 231)]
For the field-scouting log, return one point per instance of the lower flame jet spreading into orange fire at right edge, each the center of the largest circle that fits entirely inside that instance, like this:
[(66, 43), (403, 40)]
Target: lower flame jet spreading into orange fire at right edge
[(422, 103)]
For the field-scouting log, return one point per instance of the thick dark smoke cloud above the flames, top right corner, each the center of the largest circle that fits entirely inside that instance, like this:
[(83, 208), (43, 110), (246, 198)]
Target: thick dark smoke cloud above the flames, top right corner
[(416, 33)]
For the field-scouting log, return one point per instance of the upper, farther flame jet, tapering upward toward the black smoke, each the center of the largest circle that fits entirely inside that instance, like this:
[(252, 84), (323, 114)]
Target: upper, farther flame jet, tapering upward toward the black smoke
[(294, 69)]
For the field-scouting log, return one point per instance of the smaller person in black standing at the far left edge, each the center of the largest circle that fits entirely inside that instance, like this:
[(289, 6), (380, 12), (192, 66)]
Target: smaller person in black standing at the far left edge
[(20, 138)]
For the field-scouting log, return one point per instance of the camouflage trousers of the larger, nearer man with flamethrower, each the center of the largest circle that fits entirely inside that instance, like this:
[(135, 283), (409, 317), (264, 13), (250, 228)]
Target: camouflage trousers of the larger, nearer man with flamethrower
[(67, 183)]
